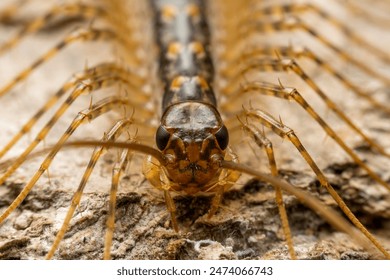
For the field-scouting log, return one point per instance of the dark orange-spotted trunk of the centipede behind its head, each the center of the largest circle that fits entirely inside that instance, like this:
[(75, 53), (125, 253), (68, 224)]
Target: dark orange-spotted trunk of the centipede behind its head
[(183, 38)]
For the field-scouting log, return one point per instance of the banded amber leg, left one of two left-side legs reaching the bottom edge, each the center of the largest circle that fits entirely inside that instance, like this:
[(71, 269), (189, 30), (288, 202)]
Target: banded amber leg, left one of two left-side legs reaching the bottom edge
[(111, 136)]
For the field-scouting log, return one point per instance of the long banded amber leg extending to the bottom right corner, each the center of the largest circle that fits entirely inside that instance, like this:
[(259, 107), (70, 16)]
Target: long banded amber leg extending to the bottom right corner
[(285, 132)]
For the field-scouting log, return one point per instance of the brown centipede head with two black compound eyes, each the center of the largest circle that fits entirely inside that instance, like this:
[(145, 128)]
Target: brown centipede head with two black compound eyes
[(192, 139)]
